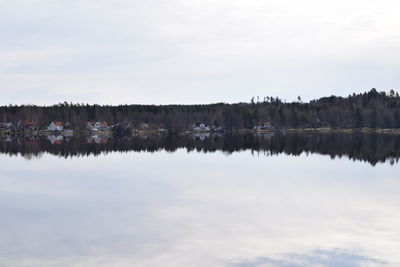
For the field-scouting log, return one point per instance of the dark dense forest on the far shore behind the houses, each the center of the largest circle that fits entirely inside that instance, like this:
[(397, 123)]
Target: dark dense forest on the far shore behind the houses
[(371, 109)]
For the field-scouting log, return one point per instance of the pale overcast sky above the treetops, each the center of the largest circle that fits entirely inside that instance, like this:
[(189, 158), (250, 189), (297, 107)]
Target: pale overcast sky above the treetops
[(197, 51)]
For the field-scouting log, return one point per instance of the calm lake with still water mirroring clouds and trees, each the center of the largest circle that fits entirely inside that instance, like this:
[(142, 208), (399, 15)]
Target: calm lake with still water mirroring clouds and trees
[(200, 200)]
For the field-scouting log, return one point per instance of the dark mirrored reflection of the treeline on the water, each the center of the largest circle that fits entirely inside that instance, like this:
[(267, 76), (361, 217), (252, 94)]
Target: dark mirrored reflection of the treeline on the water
[(372, 148)]
